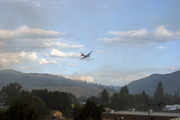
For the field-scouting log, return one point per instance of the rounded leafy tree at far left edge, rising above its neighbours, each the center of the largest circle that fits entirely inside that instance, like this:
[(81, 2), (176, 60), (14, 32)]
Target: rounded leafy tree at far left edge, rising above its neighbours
[(11, 92)]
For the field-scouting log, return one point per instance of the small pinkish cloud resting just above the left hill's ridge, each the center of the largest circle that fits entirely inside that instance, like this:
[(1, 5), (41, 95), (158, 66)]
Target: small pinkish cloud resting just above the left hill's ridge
[(81, 78)]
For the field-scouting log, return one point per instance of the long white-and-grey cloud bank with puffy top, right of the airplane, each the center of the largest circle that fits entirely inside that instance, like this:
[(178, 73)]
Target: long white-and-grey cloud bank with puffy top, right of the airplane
[(141, 37)]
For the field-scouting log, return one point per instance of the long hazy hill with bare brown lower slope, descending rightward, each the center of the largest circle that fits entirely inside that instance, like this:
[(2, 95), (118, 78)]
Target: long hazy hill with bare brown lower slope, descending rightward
[(31, 81)]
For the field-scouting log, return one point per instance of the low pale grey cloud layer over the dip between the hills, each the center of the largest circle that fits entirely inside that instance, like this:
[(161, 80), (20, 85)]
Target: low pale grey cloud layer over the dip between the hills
[(121, 78)]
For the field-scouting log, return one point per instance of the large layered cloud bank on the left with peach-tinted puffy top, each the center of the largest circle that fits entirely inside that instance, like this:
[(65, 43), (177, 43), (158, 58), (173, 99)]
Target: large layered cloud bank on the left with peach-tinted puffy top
[(26, 39)]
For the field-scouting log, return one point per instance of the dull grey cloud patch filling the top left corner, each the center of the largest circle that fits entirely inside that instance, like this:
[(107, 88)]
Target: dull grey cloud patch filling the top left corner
[(15, 13)]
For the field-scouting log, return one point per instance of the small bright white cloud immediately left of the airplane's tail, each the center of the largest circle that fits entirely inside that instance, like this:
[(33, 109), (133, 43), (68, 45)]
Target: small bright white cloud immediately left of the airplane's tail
[(57, 53)]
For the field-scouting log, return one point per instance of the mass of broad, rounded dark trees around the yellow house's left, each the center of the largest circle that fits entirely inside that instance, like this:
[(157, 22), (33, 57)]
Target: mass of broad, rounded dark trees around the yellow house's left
[(34, 103)]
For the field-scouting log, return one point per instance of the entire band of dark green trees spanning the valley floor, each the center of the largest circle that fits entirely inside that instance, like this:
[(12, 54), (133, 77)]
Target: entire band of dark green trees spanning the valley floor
[(29, 105)]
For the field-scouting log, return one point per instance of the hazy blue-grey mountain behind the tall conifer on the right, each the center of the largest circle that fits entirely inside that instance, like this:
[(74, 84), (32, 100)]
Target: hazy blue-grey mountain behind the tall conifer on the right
[(171, 83)]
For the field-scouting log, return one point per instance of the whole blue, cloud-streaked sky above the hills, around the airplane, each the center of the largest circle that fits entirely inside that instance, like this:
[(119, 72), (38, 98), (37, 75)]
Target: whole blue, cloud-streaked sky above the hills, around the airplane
[(130, 39)]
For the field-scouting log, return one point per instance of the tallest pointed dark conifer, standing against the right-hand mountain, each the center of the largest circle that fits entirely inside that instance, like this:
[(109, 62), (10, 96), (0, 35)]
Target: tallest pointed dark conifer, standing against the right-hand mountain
[(159, 93)]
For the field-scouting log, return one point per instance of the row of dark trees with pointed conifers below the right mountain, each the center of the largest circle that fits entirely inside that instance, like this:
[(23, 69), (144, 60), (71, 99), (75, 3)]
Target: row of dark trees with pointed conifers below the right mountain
[(140, 101)]
